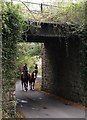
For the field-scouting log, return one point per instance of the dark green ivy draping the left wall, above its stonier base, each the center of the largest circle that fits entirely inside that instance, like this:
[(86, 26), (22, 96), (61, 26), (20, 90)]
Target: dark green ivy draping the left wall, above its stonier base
[(12, 28)]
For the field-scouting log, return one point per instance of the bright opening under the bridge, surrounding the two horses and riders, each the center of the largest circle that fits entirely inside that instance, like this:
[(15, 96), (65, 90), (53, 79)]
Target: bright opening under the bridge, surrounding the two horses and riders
[(30, 53)]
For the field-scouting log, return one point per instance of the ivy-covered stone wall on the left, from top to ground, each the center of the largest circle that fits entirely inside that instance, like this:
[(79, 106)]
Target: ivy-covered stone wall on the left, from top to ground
[(12, 28)]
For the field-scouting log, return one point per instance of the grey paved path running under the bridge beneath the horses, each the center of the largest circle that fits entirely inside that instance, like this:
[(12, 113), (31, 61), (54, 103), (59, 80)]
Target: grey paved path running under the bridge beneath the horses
[(35, 104)]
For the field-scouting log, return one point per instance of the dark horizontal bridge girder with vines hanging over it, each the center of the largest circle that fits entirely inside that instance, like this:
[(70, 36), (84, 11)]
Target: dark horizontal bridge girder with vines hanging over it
[(49, 29)]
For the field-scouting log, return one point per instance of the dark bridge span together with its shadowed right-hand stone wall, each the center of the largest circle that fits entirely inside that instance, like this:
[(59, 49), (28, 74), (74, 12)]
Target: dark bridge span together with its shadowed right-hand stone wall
[(60, 58)]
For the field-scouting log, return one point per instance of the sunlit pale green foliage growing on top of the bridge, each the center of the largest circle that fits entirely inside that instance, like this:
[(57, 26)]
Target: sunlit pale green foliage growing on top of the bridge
[(64, 12)]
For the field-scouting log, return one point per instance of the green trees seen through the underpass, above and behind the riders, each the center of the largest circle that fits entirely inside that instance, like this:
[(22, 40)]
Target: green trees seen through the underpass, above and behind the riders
[(29, 53)]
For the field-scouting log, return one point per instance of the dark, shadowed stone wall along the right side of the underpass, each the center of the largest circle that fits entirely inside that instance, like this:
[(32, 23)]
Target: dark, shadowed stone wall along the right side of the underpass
[(61, 69)]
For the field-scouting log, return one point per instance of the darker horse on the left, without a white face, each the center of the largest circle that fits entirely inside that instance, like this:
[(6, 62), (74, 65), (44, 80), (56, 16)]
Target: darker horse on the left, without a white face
[(24, 79)]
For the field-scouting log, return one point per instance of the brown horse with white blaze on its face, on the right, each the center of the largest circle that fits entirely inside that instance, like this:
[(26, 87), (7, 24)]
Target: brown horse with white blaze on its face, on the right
[(33, 77)]
